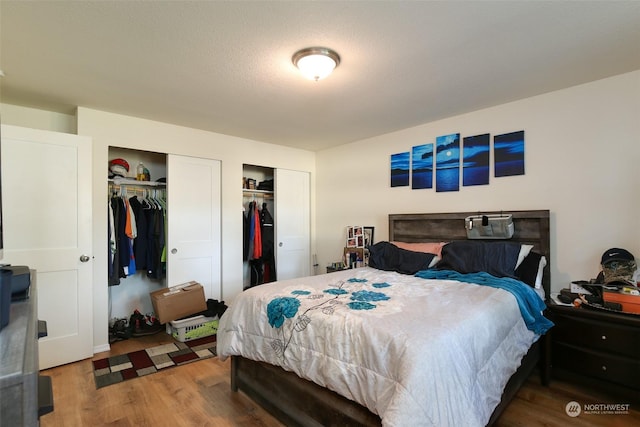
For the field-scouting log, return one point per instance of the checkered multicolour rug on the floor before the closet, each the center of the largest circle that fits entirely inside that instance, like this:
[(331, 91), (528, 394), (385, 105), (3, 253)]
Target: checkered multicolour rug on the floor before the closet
[(115, 369)]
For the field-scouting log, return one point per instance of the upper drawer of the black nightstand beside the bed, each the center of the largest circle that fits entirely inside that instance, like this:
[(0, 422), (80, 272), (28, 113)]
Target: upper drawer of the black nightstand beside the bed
[(612, 338)]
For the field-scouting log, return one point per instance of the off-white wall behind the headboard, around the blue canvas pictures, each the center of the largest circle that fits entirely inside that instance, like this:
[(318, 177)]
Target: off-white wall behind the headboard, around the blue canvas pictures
[(582, 162)]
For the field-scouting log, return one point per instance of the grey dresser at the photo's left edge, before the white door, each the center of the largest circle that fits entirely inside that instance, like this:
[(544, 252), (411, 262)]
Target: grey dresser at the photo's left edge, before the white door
[(25, 394)]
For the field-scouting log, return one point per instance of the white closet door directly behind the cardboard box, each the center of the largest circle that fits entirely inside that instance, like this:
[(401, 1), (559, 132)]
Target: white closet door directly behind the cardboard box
[(193, 223)]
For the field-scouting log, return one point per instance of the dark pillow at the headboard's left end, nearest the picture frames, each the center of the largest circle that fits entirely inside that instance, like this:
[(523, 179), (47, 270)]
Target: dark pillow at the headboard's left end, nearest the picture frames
[(387, 256)]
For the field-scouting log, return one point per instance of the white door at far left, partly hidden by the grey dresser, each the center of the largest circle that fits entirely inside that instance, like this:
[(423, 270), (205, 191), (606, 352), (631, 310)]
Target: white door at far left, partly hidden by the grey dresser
[(46, 203)]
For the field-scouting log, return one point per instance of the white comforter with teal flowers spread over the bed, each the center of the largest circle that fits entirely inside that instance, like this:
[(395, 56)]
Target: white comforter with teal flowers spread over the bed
[(416, 352)]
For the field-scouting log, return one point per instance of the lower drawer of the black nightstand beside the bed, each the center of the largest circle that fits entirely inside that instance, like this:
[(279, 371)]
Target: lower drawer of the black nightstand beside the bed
[(621, 370)]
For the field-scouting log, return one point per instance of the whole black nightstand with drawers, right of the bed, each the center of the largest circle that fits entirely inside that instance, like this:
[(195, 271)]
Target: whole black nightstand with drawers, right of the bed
[(598, 348)]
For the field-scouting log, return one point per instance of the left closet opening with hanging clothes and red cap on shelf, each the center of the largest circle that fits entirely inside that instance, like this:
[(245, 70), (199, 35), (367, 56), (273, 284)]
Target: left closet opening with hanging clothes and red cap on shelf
[(137, 230)]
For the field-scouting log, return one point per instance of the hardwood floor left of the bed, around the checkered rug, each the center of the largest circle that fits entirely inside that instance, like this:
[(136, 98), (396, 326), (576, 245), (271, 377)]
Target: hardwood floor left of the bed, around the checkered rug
[(196, 394)]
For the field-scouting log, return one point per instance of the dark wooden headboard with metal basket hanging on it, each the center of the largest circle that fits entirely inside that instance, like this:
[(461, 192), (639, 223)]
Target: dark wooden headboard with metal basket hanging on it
[(531, 227)]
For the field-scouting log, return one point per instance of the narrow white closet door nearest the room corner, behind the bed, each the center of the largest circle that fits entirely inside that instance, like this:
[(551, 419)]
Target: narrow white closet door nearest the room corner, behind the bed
[(292, 224)]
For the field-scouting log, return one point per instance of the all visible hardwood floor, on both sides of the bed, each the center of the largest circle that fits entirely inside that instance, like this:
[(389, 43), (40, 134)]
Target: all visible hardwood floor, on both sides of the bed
[(198, 394)]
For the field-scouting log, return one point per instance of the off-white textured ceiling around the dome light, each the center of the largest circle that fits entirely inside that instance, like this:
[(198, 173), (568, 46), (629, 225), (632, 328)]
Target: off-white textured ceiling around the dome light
[(225, 66)]
